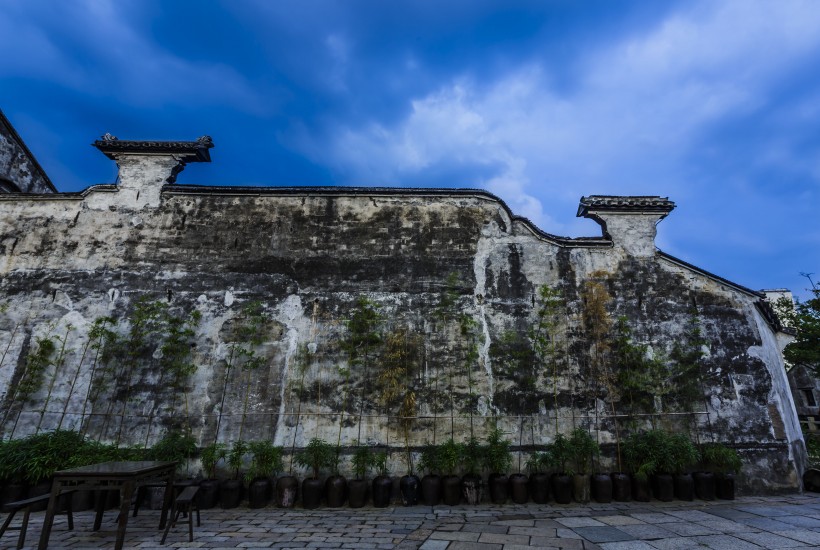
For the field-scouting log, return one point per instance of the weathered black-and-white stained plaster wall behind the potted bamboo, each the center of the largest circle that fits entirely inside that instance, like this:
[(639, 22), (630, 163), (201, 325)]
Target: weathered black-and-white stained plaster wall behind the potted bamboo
[(303, 258)]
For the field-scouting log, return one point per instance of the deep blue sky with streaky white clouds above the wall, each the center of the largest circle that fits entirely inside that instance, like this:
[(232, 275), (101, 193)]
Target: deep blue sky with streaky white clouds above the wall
[(715, 104)]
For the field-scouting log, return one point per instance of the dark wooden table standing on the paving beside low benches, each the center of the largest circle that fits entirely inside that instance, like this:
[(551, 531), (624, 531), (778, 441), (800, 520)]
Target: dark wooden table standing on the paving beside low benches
[(125, 477)]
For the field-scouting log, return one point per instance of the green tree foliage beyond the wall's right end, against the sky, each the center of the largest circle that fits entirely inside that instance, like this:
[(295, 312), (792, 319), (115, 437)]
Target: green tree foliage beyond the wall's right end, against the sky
[(804, 318)]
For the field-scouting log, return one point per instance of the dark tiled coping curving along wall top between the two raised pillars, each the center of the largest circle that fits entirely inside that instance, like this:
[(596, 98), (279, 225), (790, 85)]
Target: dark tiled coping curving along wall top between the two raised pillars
[(386, 191)]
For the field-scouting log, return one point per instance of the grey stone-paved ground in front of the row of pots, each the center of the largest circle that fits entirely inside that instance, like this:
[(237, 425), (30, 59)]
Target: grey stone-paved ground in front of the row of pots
[(791, 521)]
